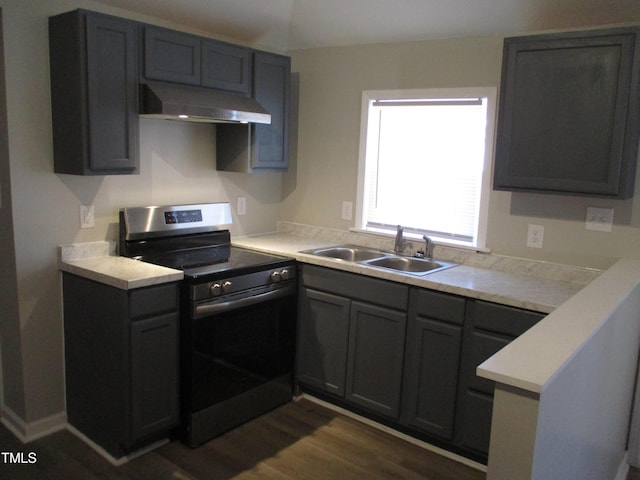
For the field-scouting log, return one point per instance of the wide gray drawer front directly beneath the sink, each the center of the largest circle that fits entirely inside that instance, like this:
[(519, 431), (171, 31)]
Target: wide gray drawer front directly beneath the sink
[(356, 287)]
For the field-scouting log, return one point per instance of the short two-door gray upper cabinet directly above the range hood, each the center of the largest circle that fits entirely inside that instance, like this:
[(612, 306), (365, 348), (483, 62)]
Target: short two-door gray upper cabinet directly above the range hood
[(178, 57)]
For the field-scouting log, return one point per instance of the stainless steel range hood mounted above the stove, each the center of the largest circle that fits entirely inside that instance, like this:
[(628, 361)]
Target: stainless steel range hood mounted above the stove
[(196, 104)]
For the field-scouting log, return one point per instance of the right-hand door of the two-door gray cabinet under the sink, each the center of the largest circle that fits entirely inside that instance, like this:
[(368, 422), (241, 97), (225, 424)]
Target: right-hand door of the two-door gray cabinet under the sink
[(376, 352)]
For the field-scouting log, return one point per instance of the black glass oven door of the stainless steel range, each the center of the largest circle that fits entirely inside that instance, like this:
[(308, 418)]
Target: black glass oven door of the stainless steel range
[(237, 361)]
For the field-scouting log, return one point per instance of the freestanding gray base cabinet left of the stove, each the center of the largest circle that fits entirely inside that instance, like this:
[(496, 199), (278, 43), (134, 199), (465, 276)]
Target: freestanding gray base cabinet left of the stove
[(121, 362)]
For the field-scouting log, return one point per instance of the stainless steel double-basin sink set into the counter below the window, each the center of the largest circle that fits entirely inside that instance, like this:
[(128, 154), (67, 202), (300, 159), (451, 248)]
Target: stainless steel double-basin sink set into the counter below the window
[(381, 259)]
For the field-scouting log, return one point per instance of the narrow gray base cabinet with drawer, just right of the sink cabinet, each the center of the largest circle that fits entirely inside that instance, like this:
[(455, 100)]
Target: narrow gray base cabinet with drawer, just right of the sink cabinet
[(432, 362)]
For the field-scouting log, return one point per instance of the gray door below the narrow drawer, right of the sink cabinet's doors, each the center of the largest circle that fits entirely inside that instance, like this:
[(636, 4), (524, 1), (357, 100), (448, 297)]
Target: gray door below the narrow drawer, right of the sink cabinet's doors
[(431, 372)]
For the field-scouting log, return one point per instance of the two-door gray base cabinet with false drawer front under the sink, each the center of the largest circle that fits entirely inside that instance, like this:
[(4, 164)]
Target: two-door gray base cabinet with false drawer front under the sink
[(351, 338)]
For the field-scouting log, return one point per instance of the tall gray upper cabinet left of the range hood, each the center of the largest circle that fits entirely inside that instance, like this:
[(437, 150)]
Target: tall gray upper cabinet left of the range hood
[(94, 100)]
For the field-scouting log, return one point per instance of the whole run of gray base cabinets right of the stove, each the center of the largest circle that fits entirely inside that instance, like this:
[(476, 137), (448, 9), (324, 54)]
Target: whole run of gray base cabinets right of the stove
[(404, 355)]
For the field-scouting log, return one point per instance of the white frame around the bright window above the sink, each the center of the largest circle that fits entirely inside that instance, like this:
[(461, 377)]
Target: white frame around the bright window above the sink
[(490, 93)]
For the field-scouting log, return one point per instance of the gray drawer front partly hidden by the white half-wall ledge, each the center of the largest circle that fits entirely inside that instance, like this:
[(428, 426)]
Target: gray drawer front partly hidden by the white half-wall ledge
[(502, 319)]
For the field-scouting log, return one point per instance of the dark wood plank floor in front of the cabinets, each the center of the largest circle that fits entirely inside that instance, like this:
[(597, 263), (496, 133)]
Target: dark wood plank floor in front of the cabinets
[(301, 440)]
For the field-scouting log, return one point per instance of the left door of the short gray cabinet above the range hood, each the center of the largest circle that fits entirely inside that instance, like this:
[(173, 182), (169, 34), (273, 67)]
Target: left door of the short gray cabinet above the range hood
[(171, 56)]
